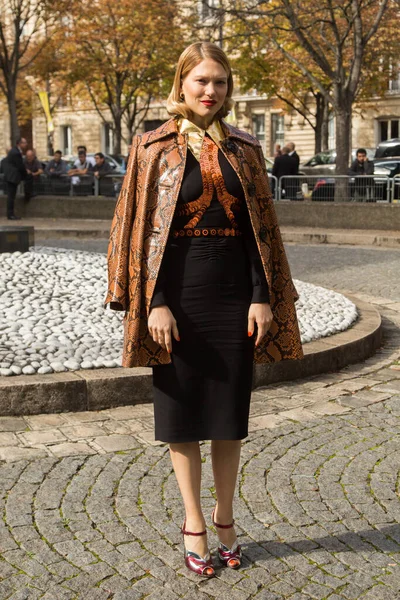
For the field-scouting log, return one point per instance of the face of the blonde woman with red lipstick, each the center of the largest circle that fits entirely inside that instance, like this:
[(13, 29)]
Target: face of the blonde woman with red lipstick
[(205, 88)]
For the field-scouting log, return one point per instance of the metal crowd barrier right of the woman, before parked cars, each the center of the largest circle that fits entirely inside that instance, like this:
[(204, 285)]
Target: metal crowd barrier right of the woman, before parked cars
[(336, 188)]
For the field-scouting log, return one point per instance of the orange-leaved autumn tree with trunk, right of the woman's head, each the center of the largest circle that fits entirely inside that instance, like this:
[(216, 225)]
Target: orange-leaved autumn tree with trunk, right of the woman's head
[(340, 49)]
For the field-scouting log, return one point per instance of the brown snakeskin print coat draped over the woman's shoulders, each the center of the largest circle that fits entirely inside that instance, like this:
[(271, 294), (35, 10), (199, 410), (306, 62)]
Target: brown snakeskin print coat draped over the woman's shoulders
[(141, 226)]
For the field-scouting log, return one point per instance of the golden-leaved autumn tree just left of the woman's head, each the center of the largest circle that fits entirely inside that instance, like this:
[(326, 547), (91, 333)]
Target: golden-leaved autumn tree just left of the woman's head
[(122, 54)]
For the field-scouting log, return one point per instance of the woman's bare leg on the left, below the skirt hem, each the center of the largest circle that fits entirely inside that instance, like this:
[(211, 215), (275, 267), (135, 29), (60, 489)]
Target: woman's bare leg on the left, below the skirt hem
[(186, 460)]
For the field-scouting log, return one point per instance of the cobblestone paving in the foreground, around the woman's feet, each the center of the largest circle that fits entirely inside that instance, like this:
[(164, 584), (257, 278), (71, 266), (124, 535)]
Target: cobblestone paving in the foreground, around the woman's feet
[(91, 509)]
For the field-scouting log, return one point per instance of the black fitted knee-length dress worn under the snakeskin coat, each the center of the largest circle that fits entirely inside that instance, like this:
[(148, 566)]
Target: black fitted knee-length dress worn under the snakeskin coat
[(209, 284)]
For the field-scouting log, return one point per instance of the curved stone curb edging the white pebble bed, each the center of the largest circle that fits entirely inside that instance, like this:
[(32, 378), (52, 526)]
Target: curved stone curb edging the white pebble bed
[(106, 388)]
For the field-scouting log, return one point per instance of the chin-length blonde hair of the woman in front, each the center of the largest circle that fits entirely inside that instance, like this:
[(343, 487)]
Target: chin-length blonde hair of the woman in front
[(190, 58)]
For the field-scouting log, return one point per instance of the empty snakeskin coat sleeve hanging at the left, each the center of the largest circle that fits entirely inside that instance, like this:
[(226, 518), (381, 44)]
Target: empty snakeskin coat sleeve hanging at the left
[(121, 227)]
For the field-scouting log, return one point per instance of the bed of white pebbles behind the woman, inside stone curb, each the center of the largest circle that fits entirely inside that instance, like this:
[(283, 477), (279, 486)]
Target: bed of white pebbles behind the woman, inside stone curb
[(52, 317)]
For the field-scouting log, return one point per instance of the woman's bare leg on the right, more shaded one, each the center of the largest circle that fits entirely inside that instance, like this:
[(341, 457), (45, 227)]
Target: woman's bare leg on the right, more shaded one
[(225, 456)]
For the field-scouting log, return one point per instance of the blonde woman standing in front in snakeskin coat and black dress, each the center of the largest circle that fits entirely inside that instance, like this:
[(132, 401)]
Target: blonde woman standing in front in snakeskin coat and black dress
[(197, 262)]
